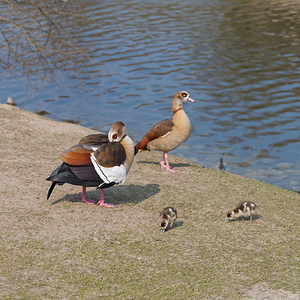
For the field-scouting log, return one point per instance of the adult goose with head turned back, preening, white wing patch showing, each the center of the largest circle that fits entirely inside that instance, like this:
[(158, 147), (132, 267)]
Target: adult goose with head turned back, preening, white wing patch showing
[(98, 160)]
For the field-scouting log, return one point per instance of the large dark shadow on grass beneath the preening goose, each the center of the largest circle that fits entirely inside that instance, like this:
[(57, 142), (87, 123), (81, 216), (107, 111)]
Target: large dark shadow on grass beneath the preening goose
[(116, 195)]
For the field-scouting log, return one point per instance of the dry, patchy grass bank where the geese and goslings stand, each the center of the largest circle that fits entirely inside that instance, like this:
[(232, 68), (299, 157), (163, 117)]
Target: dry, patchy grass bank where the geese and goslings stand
[(63, 248)]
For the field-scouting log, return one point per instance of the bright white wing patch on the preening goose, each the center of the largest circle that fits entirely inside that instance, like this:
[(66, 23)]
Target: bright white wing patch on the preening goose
[(115, 174)]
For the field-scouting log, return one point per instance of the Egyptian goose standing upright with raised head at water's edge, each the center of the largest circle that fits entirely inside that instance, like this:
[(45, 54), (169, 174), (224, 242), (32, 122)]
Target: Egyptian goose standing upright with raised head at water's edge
[(168, 134)]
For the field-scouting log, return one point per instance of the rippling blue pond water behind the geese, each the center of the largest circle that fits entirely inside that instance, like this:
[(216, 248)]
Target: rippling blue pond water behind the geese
[(116, 60)]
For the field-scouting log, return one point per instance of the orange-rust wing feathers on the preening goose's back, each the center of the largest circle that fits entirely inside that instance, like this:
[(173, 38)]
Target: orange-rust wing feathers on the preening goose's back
[(77, 156)]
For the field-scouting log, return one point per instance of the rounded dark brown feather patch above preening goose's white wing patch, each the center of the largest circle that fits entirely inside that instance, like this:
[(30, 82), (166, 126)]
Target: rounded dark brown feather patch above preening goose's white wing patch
[(110, 155)]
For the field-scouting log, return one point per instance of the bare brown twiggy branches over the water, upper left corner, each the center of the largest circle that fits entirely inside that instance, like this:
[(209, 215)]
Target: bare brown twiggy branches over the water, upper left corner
[(39, 36)]
